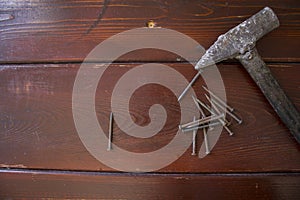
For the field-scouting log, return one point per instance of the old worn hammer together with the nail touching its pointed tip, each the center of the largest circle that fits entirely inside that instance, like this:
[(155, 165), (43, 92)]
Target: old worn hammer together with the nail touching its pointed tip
[(239, 43)]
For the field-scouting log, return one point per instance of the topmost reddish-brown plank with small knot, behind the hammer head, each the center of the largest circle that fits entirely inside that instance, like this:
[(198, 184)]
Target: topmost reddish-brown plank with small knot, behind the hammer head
[(68, 30)]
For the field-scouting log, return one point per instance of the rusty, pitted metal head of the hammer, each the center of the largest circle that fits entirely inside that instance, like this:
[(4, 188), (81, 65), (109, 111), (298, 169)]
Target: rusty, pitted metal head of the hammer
[(240, 39)]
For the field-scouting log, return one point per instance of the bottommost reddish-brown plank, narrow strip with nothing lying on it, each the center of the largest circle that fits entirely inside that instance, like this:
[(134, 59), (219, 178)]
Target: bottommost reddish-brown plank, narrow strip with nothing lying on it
[(41, 184)]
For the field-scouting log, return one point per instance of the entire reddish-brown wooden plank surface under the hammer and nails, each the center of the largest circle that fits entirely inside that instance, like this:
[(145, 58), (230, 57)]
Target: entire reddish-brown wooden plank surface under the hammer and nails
[(41, 155)]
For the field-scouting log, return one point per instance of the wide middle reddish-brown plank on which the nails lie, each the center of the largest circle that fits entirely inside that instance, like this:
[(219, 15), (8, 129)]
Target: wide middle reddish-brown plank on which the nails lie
[(37, 129)]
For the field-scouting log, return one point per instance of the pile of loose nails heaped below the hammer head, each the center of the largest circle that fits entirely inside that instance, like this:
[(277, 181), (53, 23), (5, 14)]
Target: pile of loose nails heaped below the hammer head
[(218, 110)]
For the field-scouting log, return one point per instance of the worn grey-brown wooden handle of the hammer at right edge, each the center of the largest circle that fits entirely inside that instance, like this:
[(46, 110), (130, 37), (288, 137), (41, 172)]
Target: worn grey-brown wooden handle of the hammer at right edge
[(263, 77)]
